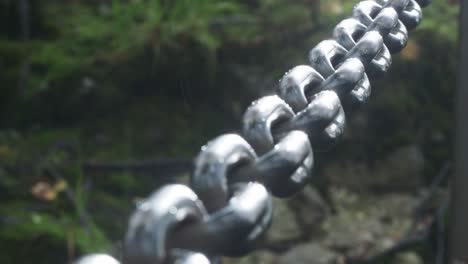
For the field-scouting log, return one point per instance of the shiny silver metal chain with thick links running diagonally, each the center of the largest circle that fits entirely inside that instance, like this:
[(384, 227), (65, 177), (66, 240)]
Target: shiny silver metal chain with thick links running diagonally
[(229, 207)]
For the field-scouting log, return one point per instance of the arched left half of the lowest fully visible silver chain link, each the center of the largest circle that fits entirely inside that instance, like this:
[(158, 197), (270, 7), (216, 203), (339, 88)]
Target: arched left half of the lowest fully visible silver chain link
[(151, 224)]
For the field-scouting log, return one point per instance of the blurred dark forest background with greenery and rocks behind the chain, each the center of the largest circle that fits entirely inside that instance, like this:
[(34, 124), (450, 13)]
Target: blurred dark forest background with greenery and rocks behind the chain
[(103, 101)]
